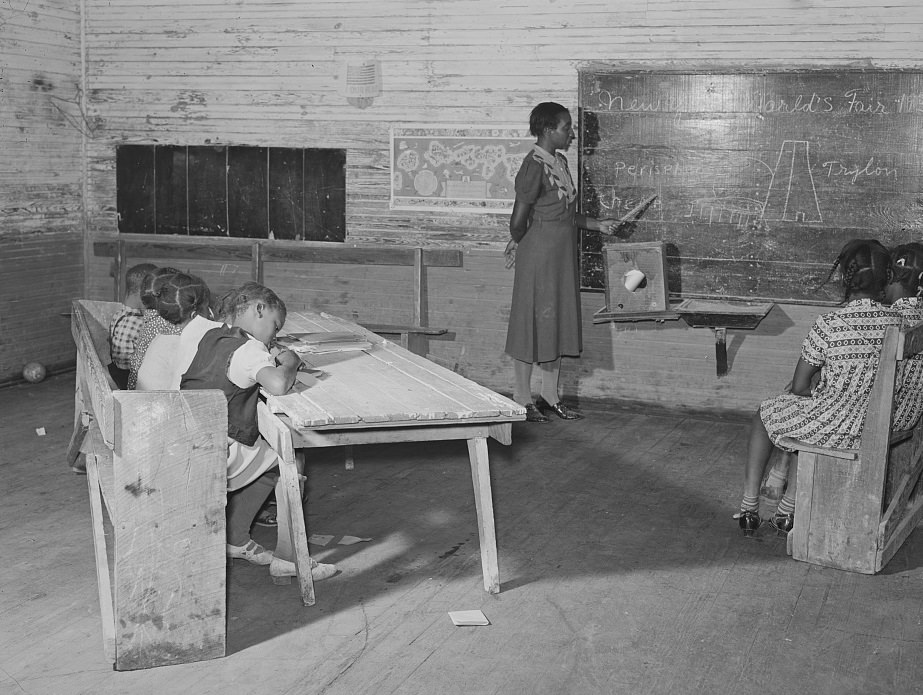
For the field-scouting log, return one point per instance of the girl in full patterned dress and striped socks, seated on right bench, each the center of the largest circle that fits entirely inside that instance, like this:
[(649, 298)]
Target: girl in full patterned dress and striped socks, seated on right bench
[(842, 348)]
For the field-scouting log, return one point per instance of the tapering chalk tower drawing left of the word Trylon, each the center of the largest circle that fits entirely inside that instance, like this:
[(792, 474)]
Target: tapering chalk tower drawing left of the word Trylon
[(791, 195)]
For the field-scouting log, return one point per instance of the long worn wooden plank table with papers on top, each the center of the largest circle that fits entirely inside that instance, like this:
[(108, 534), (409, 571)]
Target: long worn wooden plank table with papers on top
[(387, 394)]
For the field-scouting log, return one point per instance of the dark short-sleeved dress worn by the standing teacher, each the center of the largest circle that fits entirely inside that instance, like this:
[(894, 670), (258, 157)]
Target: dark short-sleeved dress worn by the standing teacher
[(545, 313)]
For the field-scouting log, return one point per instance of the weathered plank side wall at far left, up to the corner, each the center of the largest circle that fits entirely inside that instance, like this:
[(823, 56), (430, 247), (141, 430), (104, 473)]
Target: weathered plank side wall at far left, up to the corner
[(41, 234)]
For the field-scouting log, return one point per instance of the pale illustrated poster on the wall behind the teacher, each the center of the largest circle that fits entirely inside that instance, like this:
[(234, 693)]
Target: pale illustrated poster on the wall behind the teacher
[(456, 168)]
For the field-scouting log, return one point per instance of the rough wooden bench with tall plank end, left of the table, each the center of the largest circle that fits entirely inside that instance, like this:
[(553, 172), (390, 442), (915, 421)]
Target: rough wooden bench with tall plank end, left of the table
[(156, 471)]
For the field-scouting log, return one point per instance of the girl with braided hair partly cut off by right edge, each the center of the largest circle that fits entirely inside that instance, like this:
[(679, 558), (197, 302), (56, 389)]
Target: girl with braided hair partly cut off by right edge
[(904, 293)]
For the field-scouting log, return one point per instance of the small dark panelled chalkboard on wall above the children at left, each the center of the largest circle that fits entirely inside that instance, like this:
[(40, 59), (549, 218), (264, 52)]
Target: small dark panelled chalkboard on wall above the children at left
[(238, 191)]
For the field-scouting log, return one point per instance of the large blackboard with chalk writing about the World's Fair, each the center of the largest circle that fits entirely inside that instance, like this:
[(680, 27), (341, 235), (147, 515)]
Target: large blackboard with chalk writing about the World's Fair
[(760, 176)]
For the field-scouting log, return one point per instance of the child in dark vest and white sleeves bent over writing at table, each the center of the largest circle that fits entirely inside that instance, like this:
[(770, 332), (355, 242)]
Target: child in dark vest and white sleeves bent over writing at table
[(236, 359)]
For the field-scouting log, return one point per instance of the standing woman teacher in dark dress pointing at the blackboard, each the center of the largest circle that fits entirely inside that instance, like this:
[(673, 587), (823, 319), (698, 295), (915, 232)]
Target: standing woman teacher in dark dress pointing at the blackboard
[(545, 313)]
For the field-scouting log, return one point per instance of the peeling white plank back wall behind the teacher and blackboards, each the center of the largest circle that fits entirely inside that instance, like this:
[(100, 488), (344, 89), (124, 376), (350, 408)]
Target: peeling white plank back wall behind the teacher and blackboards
[(265, 73)]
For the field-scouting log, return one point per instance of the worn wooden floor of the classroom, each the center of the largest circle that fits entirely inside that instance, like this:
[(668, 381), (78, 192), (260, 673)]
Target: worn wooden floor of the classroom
[(621, 568)]
